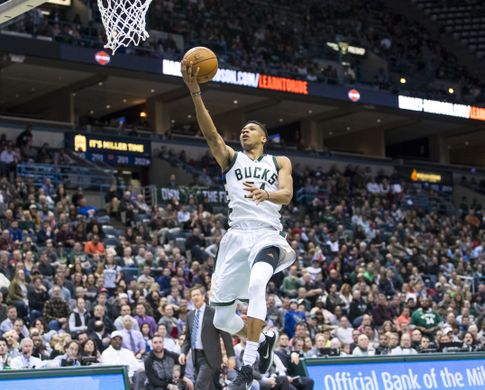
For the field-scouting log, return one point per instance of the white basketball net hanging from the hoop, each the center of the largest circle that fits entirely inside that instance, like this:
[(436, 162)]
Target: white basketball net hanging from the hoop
[(124, 22)]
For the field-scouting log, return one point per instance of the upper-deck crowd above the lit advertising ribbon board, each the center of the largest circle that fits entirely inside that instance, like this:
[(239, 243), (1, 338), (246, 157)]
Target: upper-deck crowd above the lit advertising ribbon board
[(298, 33)]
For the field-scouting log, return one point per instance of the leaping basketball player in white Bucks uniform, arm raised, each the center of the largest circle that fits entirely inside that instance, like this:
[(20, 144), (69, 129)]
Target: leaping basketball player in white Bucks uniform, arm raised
[(254, 248)]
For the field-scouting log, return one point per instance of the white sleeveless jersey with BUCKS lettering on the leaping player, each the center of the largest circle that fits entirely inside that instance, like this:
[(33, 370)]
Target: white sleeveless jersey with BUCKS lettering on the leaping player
[(243, 210)]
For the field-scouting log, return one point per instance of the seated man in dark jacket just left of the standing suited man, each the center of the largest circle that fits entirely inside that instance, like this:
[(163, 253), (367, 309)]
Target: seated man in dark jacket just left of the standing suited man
[(161, 370)]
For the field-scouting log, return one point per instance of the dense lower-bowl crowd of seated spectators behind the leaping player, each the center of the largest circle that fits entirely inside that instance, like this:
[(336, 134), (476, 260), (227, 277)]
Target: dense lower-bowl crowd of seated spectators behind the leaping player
[(376, 274)]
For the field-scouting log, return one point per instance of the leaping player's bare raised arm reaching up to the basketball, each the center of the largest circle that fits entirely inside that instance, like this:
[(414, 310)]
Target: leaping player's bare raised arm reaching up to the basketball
[(221, 152)]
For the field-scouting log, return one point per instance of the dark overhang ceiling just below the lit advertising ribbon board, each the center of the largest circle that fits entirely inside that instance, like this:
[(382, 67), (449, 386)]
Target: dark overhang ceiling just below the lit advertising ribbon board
[(98, 91)]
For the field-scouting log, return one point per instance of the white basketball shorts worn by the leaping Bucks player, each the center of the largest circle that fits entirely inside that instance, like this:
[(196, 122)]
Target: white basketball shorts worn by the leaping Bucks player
[(237, 252)]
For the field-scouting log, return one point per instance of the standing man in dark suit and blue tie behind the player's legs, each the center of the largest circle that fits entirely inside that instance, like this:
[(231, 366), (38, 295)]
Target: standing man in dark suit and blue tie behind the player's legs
[(203, 338)]
